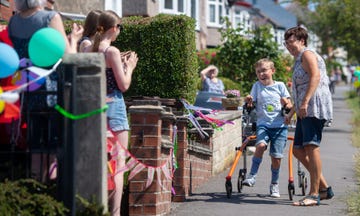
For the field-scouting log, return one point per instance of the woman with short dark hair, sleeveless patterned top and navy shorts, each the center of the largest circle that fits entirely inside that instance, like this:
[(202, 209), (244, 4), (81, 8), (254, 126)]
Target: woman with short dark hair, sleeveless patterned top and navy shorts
[(313, 107)]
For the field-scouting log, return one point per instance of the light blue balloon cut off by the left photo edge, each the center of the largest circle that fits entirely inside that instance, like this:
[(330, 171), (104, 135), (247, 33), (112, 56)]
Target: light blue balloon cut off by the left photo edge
[(9, 60)]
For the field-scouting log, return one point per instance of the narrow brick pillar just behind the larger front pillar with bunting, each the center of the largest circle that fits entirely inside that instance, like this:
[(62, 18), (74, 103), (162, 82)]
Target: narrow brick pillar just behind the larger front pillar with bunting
[(181, 180)]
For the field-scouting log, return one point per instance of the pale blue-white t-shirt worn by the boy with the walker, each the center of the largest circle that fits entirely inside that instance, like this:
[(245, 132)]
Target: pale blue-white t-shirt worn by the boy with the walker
[(268, 106)]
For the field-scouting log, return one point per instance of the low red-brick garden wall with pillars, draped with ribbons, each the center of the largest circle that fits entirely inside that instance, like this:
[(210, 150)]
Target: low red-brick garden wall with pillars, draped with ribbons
[(152, 128)]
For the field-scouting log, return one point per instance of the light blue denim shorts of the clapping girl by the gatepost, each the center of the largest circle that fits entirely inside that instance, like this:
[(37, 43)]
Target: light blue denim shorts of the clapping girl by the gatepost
[(116, 113)]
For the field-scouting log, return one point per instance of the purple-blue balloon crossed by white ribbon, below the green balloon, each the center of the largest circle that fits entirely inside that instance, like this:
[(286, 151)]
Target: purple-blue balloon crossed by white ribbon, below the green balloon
[(25, 76)]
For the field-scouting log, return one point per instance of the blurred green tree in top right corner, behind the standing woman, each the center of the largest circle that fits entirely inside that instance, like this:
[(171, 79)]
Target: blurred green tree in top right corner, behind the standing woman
[(336, 22)]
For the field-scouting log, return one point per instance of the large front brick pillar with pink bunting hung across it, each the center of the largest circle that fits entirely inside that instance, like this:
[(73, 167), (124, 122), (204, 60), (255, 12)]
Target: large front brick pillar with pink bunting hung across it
[(146, 123)]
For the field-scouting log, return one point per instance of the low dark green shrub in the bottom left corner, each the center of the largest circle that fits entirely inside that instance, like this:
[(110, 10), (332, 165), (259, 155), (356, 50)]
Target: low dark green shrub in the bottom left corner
[(28, 197)]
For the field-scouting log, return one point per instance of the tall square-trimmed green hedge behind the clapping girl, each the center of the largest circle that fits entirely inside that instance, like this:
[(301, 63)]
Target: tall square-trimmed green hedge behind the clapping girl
[(165, 45)]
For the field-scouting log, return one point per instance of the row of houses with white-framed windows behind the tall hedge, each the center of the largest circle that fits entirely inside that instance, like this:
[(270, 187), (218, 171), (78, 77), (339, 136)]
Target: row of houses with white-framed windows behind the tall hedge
[(207, 14)]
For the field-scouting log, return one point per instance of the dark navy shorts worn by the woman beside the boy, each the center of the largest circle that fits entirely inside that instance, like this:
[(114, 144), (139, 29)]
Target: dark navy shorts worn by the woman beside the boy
[(308, 131)]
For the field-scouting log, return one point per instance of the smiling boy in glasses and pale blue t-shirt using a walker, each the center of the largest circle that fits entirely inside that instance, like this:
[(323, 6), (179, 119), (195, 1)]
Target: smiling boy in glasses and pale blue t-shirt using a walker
[(270, 97)]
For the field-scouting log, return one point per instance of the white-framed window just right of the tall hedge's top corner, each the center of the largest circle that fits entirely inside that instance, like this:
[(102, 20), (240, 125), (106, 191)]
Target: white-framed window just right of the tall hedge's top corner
[(216, 10)]
